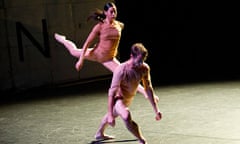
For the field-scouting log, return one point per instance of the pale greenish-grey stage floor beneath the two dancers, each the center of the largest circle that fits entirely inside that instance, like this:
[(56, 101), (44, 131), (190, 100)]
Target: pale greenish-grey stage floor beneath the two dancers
[(200, 113)]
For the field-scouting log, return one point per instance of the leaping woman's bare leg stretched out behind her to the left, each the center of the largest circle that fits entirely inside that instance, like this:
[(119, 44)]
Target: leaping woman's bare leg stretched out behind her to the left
[(72, 48)]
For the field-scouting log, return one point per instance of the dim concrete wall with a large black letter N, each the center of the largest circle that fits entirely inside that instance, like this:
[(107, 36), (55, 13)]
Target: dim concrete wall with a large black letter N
[(33, 67)]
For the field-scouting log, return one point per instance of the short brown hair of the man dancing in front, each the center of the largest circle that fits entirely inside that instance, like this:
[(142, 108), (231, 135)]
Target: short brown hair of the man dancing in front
[(139, 49)]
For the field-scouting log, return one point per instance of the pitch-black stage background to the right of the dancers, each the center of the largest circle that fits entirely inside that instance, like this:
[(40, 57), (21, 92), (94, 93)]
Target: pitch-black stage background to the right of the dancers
[(187, 41)]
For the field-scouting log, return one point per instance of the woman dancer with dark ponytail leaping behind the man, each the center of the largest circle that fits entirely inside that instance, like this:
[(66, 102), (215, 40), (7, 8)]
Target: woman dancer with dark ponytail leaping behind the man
[(108, 32)]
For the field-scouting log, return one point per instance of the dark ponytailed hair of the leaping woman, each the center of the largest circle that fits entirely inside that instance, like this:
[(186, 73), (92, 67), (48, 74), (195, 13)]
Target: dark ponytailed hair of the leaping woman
[(99, 15)]
